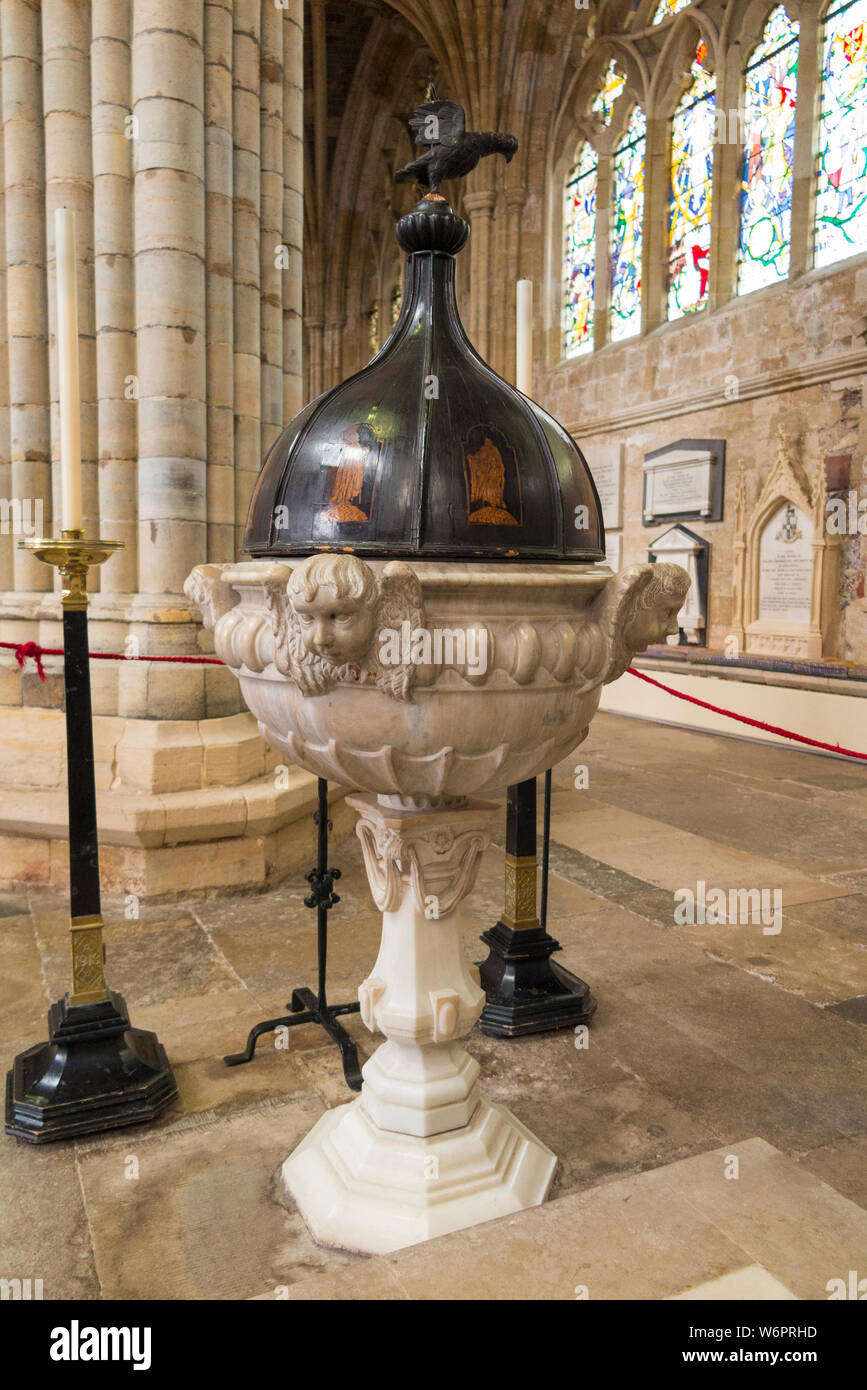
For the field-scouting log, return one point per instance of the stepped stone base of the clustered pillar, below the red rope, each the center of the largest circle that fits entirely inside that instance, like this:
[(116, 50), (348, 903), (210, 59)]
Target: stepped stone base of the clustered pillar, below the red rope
[(184, 806)]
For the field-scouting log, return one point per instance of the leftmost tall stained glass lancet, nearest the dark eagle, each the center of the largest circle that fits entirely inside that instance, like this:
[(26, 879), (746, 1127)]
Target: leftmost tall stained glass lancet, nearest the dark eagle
[(580, 255)]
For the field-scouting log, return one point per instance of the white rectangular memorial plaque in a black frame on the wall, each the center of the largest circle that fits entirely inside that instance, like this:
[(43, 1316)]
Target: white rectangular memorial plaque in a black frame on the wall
[(684, 482)]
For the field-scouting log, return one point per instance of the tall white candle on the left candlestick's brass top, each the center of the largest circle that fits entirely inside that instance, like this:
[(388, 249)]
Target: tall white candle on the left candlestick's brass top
[(67, 363)]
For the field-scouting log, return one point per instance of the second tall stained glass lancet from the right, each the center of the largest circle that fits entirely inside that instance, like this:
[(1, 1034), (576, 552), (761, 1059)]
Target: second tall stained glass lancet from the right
[(769, 152)]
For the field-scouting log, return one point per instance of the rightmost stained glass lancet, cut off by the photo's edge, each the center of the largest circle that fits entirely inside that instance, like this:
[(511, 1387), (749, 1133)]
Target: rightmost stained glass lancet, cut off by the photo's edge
[(841, 198)]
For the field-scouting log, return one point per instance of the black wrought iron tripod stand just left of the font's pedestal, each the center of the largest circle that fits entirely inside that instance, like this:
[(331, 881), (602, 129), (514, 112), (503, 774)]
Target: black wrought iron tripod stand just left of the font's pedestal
[(308, 1007)]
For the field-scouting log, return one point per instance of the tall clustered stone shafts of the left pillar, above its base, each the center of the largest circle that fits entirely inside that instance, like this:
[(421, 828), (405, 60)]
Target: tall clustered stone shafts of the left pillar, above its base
[(174, 131)]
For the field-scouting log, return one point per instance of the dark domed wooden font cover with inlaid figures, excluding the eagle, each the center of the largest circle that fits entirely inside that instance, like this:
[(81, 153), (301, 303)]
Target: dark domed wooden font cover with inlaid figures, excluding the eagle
[(427, 452)]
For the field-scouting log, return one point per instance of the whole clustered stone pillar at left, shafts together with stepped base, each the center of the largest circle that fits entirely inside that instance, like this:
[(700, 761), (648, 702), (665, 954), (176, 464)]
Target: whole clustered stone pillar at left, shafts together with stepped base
[(174, 131)]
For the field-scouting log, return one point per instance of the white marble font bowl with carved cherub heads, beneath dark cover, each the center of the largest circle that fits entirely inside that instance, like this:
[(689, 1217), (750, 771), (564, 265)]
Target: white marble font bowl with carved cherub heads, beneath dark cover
[(430, 682)]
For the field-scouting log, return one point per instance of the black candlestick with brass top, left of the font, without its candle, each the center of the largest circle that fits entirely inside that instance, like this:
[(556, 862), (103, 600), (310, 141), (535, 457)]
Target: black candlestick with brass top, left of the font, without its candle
[(95, 1072)]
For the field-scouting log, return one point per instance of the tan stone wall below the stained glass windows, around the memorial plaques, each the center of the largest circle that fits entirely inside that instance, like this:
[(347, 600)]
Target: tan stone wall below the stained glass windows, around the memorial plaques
[(784, 358)]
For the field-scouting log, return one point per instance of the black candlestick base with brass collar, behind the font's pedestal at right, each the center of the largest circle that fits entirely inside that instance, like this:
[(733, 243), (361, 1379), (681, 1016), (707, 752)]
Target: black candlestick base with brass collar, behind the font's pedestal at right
[(527, 992)]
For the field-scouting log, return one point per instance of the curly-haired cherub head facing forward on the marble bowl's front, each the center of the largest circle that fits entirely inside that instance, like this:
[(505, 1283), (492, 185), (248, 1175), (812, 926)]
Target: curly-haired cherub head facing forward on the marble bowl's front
[(334, 601)]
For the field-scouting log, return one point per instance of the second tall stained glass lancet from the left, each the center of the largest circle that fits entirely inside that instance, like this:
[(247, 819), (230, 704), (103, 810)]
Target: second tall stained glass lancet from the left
[(627, 220)]
